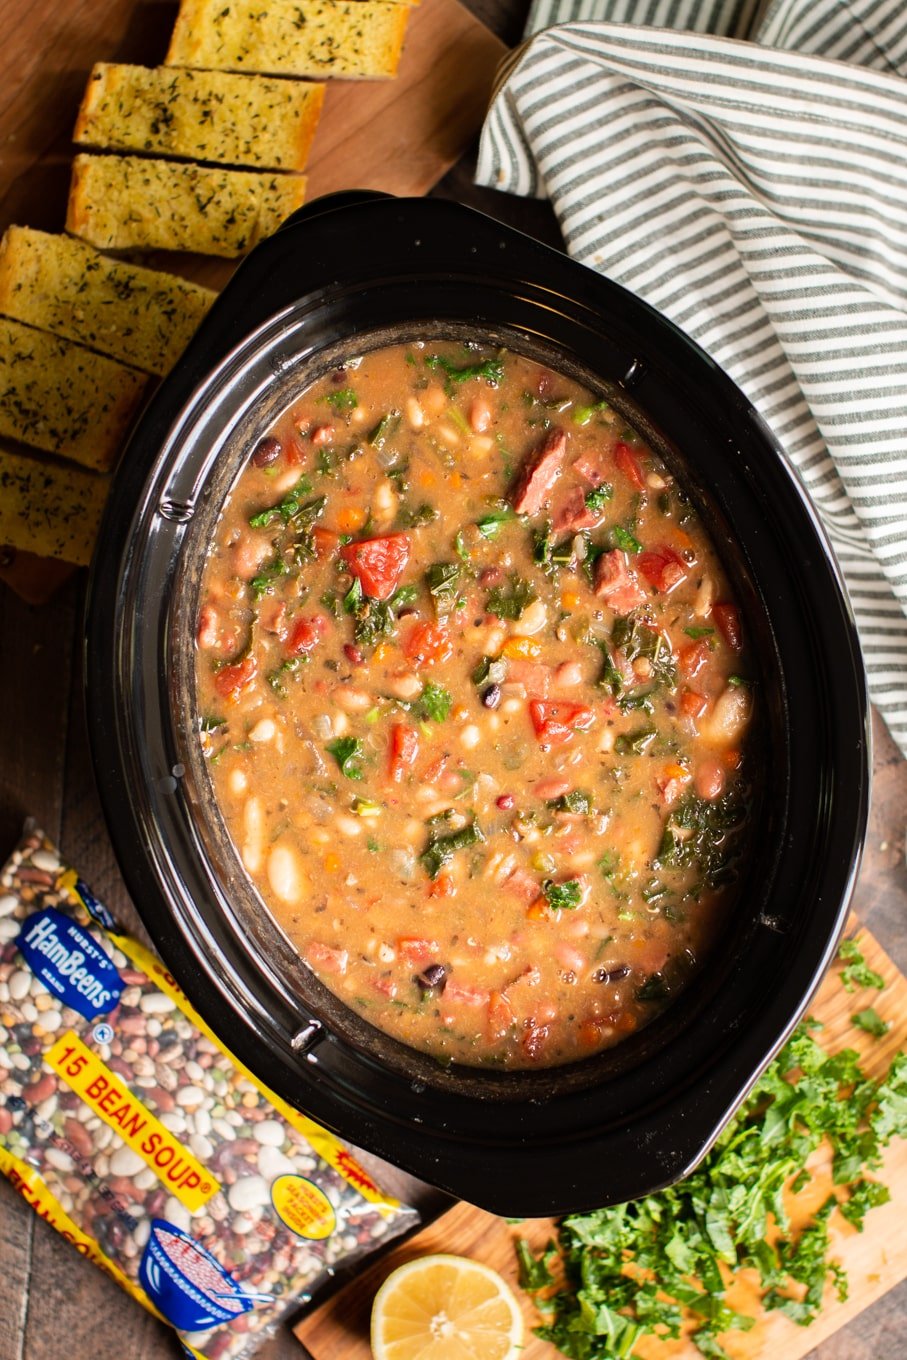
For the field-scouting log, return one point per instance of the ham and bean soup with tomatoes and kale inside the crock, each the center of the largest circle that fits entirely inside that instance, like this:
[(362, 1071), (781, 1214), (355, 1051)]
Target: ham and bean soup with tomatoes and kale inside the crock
[(475, 700)]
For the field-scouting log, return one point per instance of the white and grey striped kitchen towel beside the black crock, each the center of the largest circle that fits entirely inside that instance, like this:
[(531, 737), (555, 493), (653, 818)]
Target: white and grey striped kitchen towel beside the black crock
[(757, 194)]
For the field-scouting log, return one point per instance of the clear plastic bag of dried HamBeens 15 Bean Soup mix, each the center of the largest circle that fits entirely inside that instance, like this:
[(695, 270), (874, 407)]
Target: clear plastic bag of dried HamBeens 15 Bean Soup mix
[(141, 1139)]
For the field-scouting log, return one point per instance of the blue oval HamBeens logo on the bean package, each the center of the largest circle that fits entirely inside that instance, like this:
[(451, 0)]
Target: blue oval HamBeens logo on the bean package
[(70, 964)]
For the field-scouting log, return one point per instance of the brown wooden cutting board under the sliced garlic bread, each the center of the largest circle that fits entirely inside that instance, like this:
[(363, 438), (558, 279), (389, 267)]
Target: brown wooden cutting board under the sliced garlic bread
[(400, 135)]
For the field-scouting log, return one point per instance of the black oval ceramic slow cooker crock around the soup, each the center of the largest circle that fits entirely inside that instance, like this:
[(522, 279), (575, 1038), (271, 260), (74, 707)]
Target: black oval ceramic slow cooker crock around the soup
[(341, 277)]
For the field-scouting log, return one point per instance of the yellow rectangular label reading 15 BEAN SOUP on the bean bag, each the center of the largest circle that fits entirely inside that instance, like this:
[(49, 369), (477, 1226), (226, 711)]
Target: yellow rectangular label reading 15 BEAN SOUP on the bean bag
[(103, 1090)]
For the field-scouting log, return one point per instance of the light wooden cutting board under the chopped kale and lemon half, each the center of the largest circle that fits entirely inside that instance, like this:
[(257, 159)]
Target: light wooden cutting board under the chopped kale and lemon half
[(875, 1260)]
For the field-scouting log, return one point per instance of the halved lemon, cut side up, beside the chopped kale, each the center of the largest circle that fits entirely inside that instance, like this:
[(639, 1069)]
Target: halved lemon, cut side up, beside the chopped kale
[(445, 1309)]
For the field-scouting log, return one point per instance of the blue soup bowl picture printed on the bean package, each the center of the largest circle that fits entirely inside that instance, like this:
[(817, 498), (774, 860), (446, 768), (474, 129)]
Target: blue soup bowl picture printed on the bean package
[(190, 1286)]
